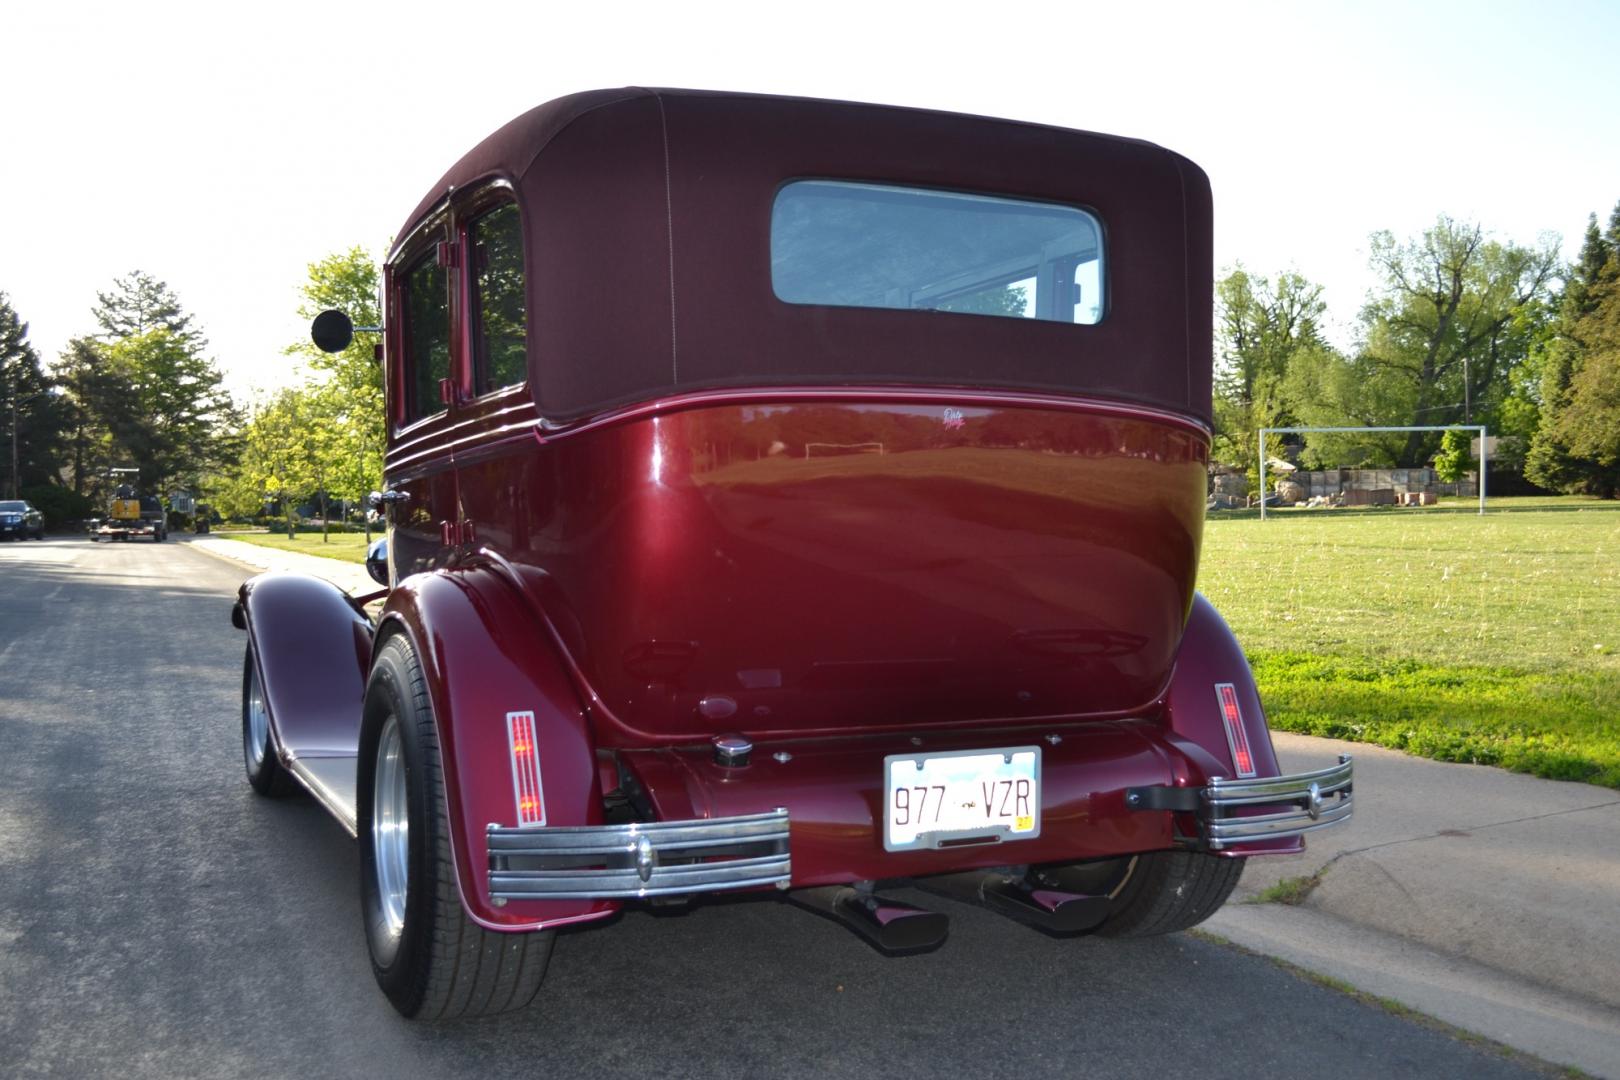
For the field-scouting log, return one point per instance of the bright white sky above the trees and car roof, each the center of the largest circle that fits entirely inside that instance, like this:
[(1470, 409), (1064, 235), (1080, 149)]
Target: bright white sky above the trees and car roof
[(224, 148)]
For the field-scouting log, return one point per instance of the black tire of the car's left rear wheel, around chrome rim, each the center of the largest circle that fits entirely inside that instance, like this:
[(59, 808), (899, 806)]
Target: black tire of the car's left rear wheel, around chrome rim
[(438, 964)]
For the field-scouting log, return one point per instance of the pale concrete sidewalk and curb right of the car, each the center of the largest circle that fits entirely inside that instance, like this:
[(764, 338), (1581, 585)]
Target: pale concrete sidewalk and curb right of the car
[(1481, 898)]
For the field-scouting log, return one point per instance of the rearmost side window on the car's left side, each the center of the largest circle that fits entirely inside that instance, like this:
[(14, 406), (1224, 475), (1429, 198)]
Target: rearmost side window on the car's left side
[(500, 346)]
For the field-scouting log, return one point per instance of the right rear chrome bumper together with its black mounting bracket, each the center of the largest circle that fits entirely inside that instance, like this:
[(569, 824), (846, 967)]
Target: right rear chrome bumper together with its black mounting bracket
[(1222, 804)]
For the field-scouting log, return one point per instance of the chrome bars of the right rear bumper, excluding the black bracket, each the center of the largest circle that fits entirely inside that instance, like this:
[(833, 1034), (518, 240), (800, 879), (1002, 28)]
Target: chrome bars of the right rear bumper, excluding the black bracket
[(1307, 791)]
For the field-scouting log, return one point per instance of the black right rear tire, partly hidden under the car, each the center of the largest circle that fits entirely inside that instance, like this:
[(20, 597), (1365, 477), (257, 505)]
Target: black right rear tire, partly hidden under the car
[(1170, 891)]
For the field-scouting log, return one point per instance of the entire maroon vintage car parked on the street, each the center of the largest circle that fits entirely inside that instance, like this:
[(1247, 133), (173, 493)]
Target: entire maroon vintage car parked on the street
[(791, 498)]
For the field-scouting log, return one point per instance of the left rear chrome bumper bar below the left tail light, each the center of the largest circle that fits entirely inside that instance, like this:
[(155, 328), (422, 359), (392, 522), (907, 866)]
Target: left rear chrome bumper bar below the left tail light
[(654, 859)]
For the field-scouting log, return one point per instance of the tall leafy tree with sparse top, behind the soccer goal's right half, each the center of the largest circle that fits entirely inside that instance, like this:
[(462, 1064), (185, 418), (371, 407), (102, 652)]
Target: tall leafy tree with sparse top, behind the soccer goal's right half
[(1456, 317)]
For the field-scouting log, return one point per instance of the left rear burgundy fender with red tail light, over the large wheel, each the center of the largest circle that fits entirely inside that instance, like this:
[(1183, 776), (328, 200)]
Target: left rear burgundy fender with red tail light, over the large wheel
[(487, 657)]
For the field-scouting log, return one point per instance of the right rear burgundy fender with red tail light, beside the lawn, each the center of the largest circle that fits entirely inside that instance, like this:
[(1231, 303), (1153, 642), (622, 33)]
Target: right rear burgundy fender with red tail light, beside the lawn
[(1211, 657)]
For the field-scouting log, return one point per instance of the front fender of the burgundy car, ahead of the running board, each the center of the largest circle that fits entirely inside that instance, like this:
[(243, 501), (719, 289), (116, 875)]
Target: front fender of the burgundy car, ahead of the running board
[(313, 647)]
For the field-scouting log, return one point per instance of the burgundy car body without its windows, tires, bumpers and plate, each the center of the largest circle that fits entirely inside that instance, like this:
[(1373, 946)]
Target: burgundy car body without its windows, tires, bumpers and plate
[(644, 545)]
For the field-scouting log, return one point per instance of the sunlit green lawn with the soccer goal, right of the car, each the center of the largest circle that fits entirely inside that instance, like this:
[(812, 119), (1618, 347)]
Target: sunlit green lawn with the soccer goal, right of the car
[(1460, 637)]
